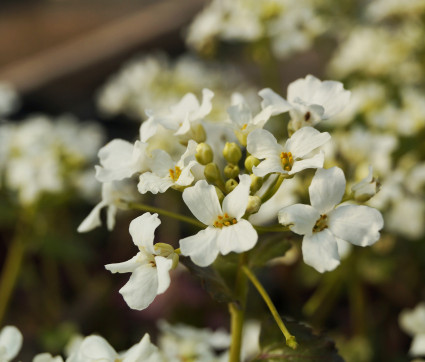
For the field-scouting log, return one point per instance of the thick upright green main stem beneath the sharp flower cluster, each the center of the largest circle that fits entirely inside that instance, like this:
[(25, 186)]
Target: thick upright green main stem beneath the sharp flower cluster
[(237, 311)]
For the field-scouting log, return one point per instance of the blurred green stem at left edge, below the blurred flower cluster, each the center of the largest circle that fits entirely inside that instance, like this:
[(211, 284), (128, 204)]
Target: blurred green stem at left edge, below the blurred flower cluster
[(10, 273)]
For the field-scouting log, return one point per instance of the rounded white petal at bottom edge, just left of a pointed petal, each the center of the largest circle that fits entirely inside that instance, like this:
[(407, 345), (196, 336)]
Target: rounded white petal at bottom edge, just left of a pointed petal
[(96, 348)]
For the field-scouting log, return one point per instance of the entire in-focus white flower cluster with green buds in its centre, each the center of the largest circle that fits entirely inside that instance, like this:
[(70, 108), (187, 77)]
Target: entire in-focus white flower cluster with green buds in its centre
[(225, 172)]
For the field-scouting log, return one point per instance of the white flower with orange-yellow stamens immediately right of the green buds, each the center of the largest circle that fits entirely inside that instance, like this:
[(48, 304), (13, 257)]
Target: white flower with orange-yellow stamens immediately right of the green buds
[(291, 157)]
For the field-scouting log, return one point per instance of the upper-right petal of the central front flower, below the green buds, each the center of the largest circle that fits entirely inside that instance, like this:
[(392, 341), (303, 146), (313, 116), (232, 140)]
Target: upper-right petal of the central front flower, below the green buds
[(236, 201)]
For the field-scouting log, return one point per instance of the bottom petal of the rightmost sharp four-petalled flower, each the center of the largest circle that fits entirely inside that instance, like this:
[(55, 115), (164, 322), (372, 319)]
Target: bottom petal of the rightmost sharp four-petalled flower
[(320, 250)]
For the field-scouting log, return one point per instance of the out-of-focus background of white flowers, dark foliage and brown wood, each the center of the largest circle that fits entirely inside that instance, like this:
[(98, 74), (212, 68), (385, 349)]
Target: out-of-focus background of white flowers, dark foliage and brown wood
[(76, 74)]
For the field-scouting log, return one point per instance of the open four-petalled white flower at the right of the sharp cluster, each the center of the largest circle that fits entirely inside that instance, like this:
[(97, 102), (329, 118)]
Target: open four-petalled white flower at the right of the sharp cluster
[(324, 225)]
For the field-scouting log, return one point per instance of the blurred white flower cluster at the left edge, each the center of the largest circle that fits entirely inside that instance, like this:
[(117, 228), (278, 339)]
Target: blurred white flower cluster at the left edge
[(42, 155)]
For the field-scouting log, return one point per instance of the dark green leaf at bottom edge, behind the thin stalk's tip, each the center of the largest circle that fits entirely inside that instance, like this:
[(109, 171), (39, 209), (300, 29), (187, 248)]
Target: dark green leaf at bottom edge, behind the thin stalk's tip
[(311, 346)]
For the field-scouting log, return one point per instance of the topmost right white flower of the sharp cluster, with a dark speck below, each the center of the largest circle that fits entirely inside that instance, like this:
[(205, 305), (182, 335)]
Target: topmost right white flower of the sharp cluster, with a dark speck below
[(309, 100)]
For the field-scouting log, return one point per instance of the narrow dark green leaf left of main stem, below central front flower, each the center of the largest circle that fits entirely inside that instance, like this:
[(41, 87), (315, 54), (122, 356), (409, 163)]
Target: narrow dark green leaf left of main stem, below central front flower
[(211, 281)]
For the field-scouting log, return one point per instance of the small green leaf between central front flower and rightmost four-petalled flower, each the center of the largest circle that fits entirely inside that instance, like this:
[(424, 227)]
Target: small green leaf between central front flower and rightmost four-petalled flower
[(268, 249)]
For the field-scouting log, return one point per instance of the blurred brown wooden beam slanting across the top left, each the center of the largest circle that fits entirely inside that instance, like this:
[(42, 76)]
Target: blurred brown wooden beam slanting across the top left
[(99, 44)]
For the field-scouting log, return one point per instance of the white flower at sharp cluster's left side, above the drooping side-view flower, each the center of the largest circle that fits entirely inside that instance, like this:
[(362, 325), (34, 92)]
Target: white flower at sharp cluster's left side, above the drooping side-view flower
[(120, 159)]
